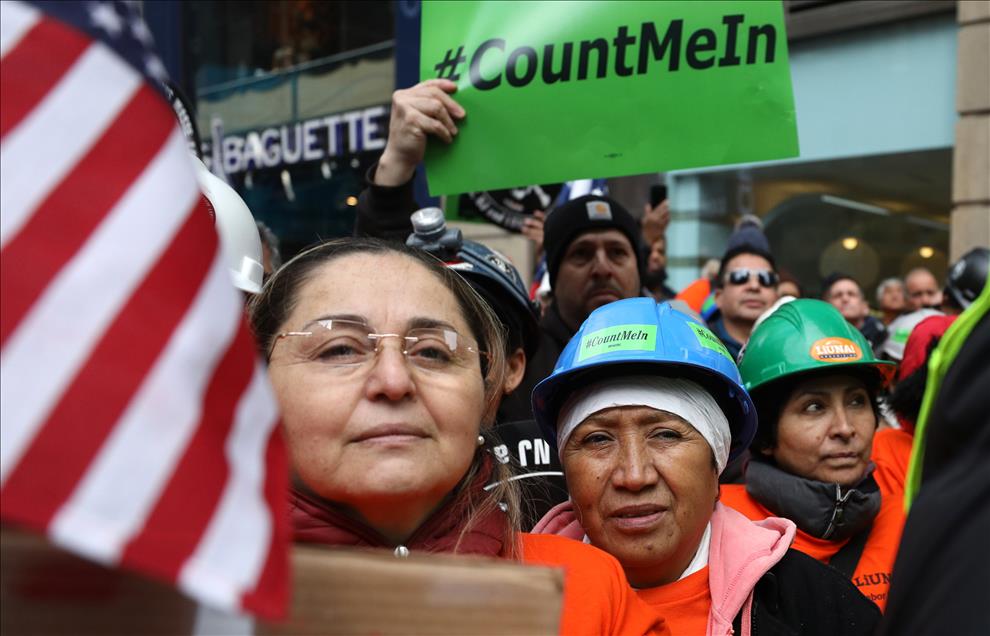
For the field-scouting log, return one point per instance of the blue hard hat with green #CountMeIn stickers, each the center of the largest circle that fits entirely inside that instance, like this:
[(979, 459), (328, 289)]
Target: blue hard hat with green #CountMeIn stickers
[(638, 336)]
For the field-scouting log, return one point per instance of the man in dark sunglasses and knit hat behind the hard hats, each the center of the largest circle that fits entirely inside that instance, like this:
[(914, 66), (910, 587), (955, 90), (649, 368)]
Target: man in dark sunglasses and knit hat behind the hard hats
[(746, 286)]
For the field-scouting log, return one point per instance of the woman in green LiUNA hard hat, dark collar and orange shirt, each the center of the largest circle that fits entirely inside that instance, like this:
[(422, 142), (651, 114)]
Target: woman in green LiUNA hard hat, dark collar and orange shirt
[(814, 380)]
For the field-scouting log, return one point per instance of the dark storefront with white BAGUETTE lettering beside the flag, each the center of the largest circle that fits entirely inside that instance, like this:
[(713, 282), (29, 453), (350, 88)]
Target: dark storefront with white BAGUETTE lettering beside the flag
[(292, 105)]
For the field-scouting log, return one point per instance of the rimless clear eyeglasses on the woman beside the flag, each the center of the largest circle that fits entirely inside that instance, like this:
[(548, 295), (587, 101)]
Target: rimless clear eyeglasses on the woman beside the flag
[(348, 345)]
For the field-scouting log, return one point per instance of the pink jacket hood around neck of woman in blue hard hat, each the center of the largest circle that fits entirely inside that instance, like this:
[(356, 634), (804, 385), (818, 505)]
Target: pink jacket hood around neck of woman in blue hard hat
[(741, 552)]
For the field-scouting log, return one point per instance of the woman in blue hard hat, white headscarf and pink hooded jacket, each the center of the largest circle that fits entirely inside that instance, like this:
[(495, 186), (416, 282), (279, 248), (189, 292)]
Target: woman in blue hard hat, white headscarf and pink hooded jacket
[(646, 407)]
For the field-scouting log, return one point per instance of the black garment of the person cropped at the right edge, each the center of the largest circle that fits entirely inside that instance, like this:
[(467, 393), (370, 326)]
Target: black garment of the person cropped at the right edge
[(941, 578)]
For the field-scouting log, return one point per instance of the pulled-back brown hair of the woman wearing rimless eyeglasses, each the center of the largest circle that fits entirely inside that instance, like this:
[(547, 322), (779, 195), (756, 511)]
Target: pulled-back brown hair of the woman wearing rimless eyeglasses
[(270, 309)]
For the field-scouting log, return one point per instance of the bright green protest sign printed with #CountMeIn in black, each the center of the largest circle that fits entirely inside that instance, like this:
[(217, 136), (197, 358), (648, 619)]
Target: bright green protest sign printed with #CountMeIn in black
[(556, 91)]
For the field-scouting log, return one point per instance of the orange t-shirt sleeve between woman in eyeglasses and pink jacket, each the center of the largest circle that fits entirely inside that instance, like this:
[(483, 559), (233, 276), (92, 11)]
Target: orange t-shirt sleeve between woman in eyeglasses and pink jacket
[(597, 597)]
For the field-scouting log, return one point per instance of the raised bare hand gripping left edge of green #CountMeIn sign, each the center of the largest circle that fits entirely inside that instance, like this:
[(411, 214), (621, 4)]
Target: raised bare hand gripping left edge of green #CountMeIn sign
[(418, 112)]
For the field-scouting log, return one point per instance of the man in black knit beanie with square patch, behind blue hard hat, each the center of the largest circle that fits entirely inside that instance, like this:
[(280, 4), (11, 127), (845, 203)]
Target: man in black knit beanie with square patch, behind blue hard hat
[(595, 256)]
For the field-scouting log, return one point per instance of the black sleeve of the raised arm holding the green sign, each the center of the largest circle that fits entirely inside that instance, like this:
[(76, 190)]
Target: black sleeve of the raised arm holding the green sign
[(383, 211)]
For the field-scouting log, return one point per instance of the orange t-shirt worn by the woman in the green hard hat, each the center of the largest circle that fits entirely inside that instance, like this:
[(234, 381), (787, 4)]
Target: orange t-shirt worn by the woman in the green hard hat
[(872, 573)]
